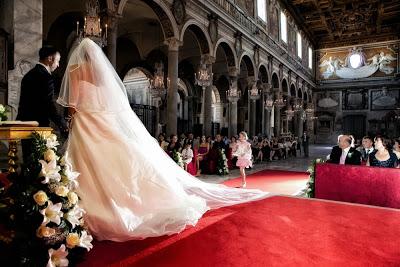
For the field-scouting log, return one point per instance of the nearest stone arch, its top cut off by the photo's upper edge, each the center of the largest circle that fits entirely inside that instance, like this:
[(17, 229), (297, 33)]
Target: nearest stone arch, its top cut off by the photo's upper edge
[(162, 11)]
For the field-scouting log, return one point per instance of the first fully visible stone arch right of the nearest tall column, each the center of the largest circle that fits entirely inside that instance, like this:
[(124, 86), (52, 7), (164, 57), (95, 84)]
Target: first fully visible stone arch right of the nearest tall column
[(201, 35)]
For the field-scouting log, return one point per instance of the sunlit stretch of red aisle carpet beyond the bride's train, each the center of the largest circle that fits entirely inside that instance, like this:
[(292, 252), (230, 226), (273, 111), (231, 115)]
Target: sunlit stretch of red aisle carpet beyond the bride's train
[(279, 182)]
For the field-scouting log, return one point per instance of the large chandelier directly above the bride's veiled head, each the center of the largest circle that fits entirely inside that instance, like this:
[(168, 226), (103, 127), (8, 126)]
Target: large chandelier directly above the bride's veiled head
[(92, 26)]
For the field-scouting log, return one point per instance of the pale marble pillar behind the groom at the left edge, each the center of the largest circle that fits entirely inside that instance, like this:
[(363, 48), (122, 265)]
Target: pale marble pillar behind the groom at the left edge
[(28, 36)]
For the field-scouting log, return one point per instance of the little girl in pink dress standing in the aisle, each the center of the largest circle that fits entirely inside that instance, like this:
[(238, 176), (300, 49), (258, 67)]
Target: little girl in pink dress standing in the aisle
[(243, 153)]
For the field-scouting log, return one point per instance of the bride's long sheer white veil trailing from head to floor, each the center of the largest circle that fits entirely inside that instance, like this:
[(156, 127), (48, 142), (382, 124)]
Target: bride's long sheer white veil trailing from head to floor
[(89, 64)]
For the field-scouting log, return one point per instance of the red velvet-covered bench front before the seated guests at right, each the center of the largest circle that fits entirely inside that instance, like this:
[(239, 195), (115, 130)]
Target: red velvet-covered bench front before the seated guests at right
[(358, 184)]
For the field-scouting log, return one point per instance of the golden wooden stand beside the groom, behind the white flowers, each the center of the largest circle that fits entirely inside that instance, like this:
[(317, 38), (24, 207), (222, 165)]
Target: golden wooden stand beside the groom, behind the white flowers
[(14, 134)]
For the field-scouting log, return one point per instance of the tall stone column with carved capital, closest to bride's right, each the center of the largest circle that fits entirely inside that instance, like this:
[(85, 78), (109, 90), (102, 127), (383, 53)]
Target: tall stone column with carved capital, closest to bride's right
[(172, 100)]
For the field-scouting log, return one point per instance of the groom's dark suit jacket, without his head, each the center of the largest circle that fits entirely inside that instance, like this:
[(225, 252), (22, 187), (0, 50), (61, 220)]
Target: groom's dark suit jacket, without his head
[(36, 102)]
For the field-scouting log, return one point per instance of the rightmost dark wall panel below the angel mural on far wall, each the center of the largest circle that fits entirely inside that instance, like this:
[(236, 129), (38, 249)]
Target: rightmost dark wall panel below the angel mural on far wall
[(385, 99)]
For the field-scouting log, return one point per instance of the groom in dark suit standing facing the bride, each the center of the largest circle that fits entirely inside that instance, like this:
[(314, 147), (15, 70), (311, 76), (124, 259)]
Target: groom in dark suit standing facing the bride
[(37, 95)]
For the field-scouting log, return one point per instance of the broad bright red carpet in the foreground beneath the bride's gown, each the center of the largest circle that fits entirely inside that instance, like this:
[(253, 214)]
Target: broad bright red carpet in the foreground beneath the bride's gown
[(277, 231)]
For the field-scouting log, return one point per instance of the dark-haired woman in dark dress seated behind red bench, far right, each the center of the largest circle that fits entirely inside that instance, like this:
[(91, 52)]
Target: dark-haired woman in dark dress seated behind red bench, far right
[(383, 156)]
